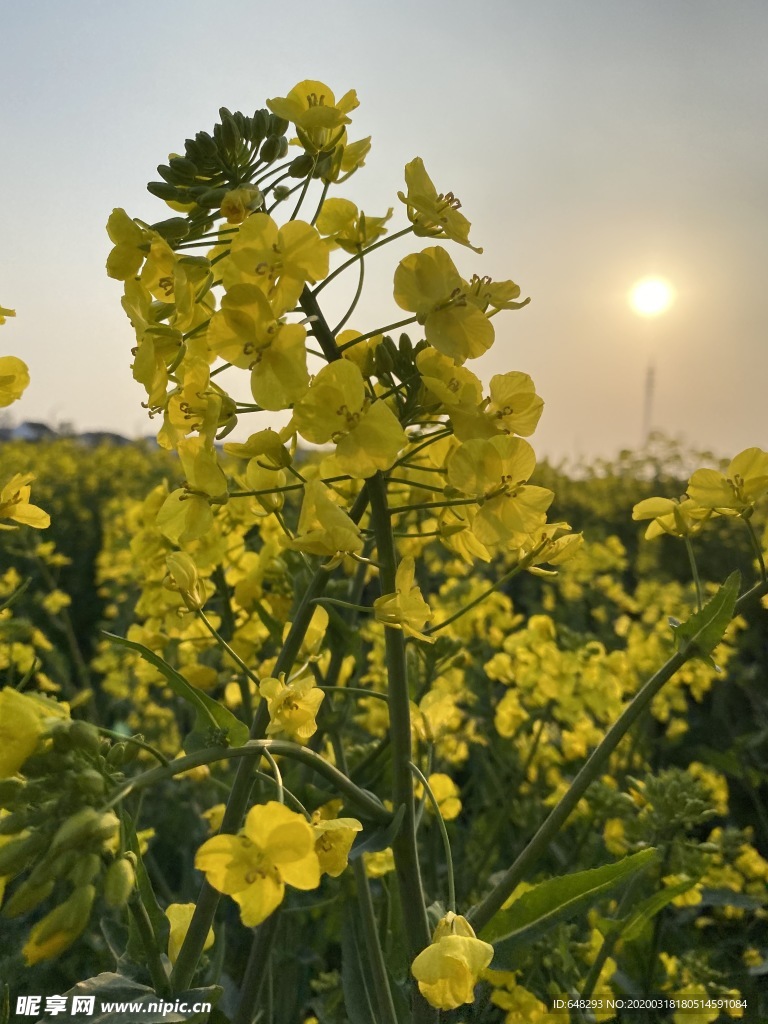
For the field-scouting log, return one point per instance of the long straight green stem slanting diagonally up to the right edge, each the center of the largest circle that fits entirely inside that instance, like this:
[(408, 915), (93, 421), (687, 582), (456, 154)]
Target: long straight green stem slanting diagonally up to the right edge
[(482, 914)]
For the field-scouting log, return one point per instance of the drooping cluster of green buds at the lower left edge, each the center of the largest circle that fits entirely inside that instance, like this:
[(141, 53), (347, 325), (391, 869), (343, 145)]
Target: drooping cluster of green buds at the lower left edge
[(56, 842)]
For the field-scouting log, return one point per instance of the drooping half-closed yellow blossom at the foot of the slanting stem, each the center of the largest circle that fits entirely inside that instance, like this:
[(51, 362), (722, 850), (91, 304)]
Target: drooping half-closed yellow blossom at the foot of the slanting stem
[(449, 969)]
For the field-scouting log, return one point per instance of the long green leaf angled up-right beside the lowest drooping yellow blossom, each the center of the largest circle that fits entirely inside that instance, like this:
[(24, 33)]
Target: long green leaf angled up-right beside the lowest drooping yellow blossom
[(553, 902)]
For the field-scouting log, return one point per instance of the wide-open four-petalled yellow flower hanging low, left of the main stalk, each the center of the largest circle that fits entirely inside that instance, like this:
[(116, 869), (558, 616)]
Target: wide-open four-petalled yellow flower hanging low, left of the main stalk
[(275, 849)]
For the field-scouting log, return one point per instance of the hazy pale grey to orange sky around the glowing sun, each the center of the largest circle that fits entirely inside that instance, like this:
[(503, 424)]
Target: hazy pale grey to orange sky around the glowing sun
[(592, 143)]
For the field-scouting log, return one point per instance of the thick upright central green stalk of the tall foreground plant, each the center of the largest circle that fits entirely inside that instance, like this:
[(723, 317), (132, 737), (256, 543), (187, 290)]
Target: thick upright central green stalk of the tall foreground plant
[(405, 845)]
